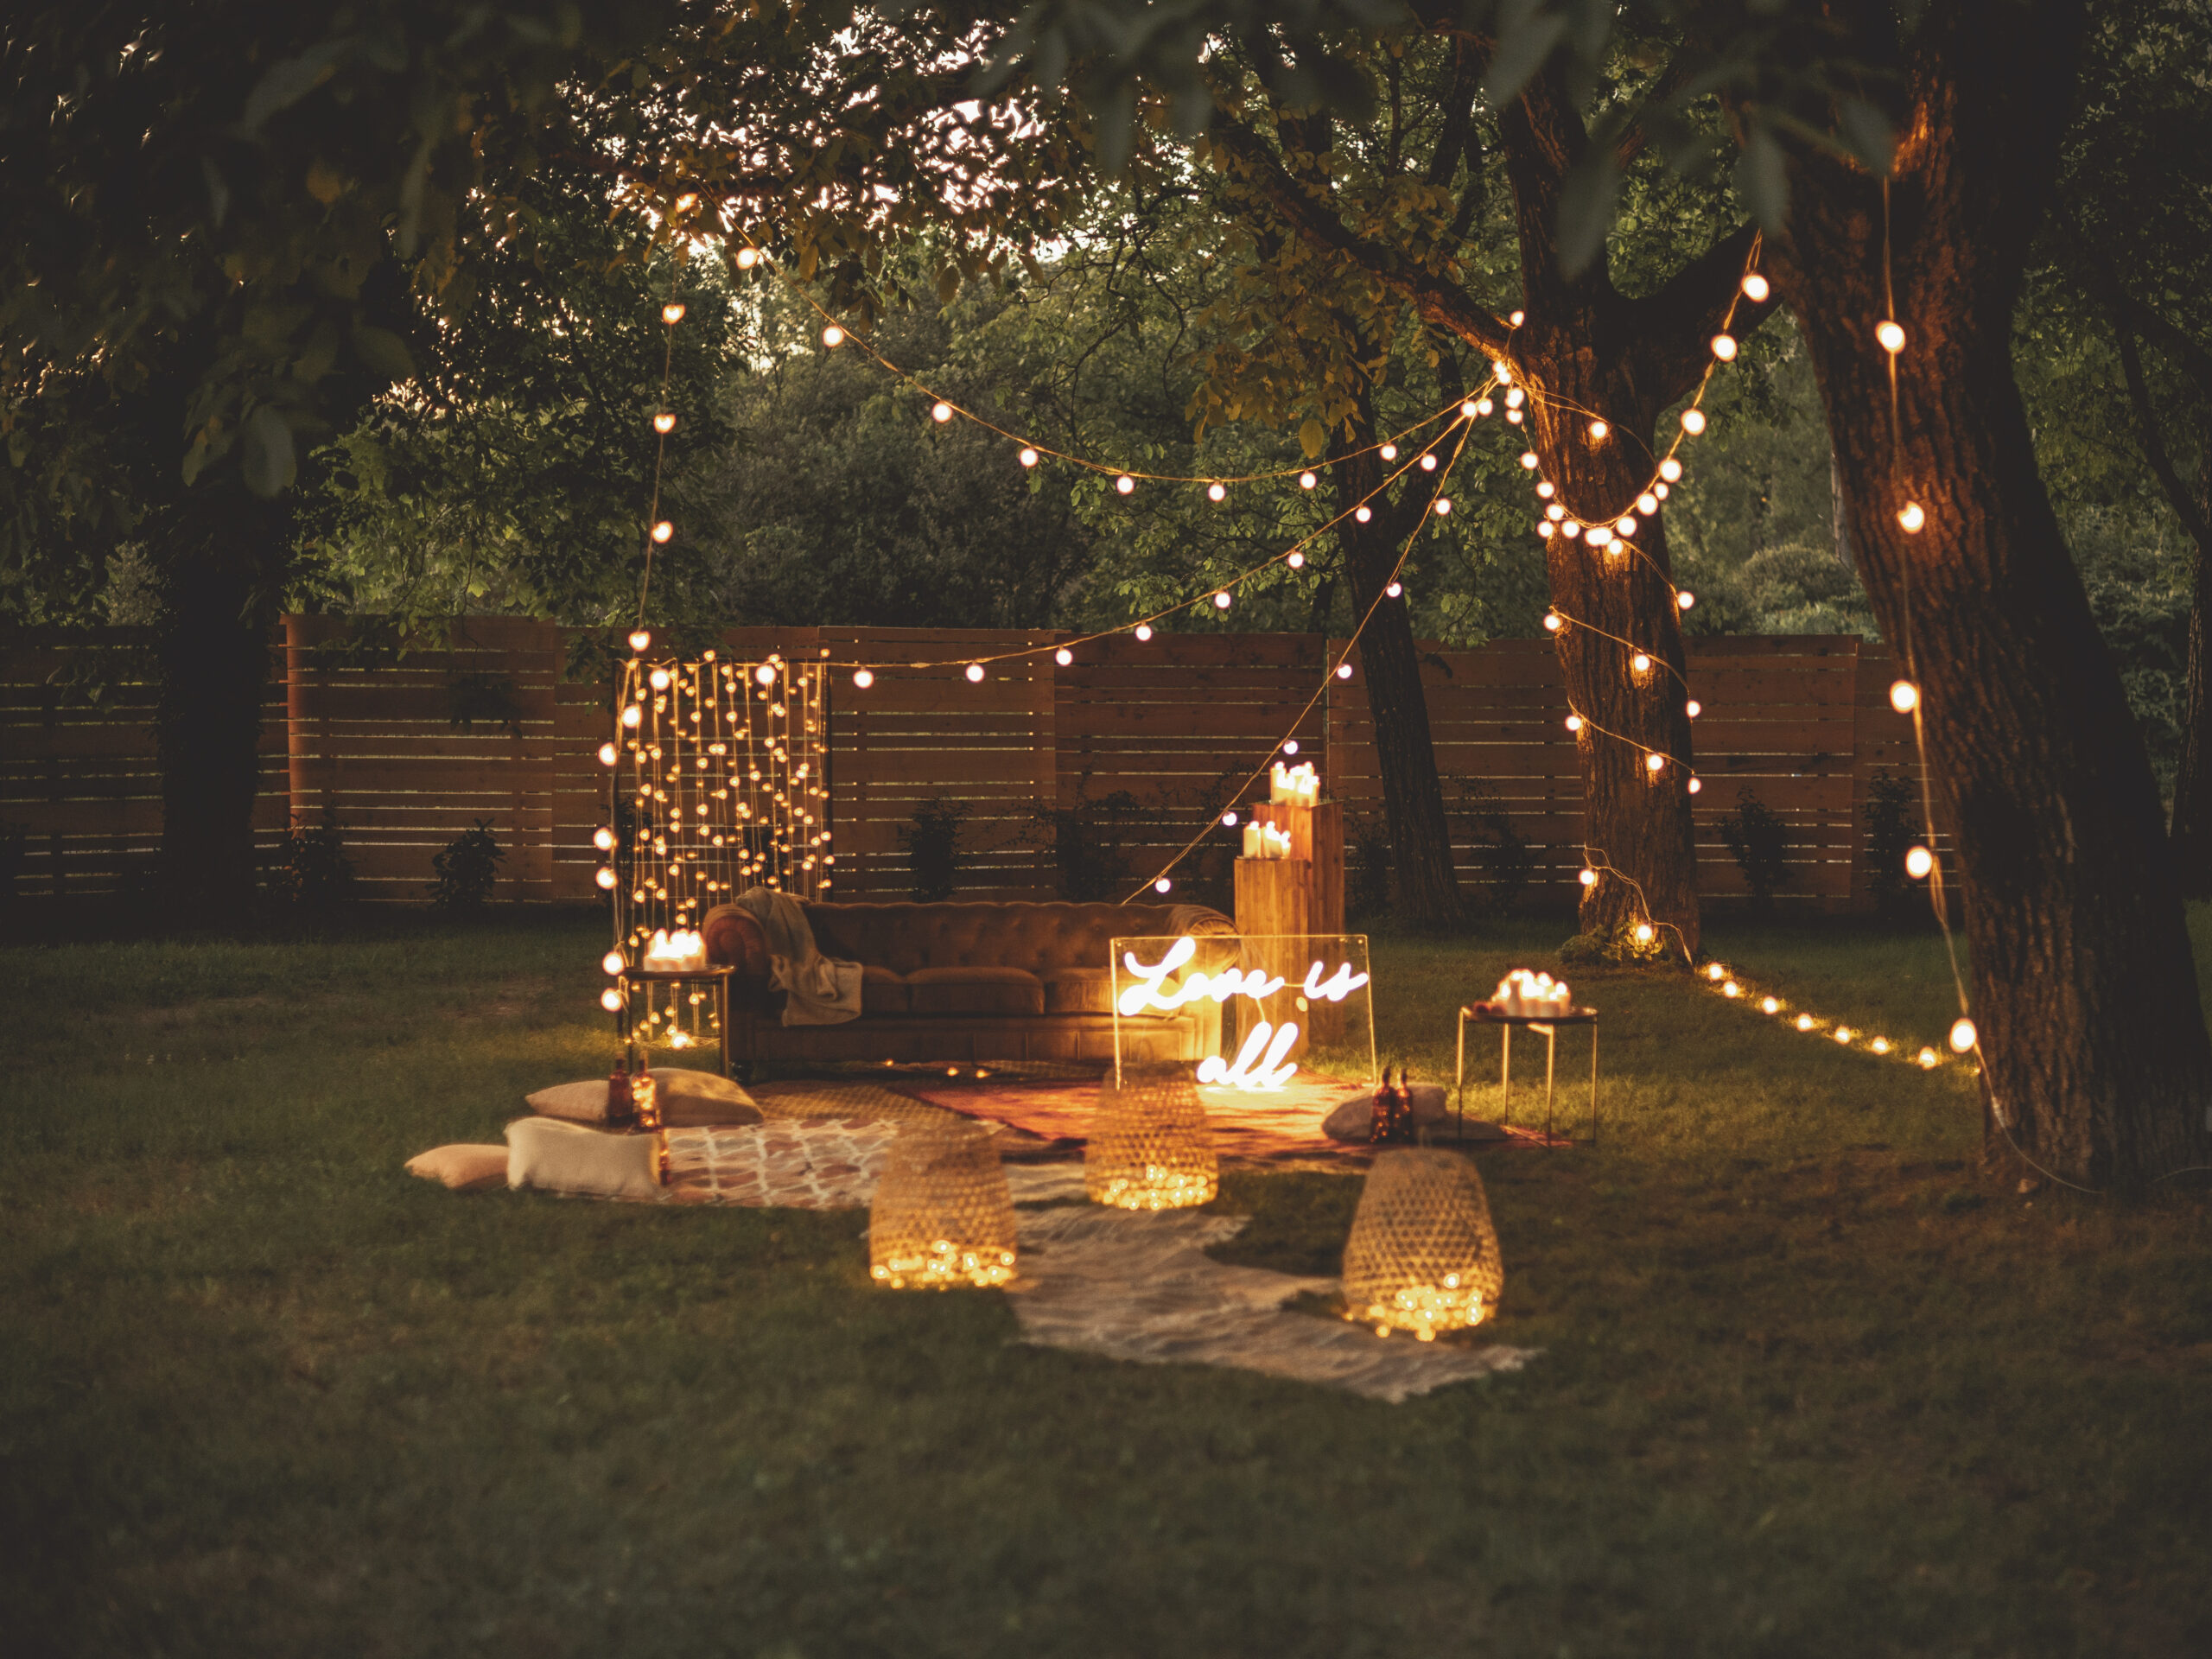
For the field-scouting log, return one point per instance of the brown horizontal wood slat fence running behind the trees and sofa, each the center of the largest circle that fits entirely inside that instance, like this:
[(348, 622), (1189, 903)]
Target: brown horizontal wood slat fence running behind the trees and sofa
[(1142, 744)]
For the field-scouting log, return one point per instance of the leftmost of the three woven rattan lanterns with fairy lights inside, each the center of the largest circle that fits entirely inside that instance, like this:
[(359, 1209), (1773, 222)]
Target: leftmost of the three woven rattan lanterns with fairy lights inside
[(943, 1213)]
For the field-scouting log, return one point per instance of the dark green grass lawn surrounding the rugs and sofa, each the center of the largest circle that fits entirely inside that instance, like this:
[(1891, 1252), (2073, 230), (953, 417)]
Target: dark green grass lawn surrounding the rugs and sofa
[(1808, 1386)]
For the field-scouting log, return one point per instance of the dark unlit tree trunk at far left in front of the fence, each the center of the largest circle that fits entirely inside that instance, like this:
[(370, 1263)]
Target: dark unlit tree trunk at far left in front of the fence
[(222, 561)]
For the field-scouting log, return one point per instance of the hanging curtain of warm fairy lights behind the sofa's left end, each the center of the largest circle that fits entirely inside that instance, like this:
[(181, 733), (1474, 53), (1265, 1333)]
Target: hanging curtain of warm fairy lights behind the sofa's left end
[(718, 784)]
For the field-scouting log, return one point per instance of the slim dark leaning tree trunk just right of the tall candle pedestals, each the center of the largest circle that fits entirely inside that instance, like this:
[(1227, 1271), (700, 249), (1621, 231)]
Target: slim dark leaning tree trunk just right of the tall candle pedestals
[(1406, 755)]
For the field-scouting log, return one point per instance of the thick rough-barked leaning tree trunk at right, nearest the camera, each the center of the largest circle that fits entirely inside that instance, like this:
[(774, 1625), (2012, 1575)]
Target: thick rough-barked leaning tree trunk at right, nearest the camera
[(2094, 1050)]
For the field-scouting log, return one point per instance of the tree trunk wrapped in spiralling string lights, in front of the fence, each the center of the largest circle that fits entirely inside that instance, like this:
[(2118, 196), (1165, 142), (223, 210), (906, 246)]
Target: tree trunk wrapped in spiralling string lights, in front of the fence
[(1620, 603)]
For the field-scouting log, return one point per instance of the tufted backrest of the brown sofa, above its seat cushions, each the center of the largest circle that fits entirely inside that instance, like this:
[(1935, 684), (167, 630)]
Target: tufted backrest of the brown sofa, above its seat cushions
[(1039, 939)]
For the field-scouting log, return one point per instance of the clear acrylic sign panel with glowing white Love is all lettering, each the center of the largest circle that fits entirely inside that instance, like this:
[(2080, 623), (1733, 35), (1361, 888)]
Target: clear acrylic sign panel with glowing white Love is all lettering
[(1271, 1008)]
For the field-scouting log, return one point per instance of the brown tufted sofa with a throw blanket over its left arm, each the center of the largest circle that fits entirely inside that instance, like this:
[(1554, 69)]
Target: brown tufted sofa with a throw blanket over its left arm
[(968, 983)]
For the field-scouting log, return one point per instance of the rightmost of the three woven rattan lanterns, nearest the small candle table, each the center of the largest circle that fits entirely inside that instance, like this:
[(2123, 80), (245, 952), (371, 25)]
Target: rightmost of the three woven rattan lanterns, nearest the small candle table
[(1423, 1253)]
